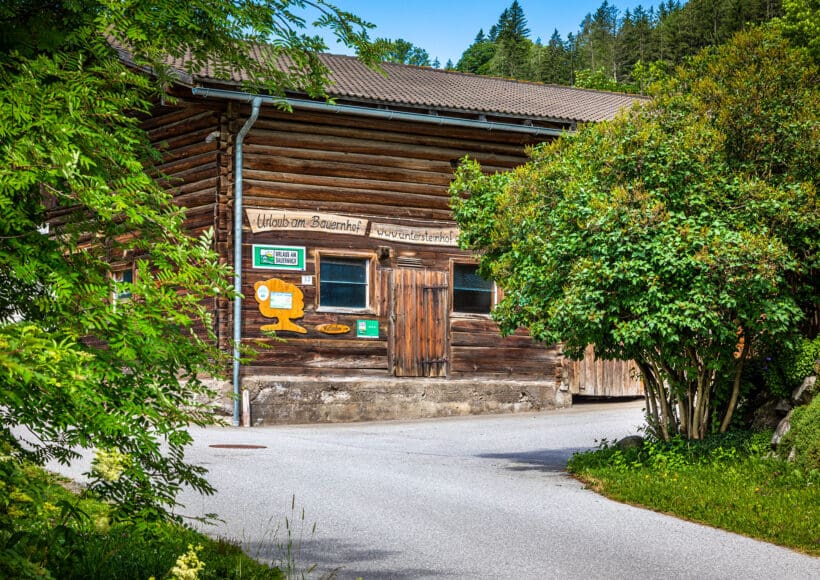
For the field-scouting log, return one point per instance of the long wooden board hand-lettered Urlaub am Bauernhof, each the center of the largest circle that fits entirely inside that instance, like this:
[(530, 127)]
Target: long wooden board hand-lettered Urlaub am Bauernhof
[(265, 220)]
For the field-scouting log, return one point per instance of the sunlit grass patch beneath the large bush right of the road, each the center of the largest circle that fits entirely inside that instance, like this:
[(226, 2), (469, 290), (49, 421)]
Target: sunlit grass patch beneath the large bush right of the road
[(728, 481)]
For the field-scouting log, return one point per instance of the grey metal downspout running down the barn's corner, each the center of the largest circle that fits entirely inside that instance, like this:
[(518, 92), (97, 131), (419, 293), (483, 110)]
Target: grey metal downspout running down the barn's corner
[(237, 251)]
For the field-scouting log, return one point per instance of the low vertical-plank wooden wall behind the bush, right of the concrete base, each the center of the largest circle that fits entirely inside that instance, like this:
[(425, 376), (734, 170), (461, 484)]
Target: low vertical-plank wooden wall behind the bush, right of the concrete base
[(598, 378)]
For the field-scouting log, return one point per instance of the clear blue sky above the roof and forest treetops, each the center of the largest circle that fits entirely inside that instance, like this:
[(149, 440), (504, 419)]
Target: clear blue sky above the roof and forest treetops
[(444, 28)]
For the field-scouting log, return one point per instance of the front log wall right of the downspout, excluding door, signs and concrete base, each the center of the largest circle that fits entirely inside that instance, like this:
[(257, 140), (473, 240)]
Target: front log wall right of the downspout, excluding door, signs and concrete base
[(388, 173)]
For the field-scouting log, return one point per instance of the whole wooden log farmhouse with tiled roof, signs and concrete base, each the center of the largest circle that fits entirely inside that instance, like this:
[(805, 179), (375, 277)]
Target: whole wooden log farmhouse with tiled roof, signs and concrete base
[(338, 216)]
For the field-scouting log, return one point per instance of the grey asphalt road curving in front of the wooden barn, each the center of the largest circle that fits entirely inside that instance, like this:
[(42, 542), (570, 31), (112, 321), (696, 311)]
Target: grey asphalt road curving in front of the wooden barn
[(467, 497)]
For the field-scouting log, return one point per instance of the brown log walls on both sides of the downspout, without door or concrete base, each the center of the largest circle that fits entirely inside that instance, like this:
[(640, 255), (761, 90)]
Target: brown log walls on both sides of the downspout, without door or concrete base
[(388, 171)]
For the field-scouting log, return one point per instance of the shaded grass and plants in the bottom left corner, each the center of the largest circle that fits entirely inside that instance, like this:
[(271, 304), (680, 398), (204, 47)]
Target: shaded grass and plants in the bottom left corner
[(56, 533)]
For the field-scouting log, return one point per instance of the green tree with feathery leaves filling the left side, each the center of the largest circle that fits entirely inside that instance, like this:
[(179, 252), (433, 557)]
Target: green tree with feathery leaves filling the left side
[(86, 359)]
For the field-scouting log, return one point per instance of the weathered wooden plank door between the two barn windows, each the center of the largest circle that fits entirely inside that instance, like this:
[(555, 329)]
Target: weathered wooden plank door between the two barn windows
[(420, 301)]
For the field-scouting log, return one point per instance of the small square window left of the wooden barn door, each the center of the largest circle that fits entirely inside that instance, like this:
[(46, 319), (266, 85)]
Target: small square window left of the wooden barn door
[(343, 282)]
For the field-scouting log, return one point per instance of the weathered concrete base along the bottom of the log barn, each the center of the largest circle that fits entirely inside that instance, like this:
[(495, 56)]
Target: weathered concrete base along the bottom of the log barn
[(292, 400)]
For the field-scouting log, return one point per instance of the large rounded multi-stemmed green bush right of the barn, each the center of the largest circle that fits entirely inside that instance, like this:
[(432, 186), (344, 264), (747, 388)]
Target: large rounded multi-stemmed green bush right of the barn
[(680, 235)]
